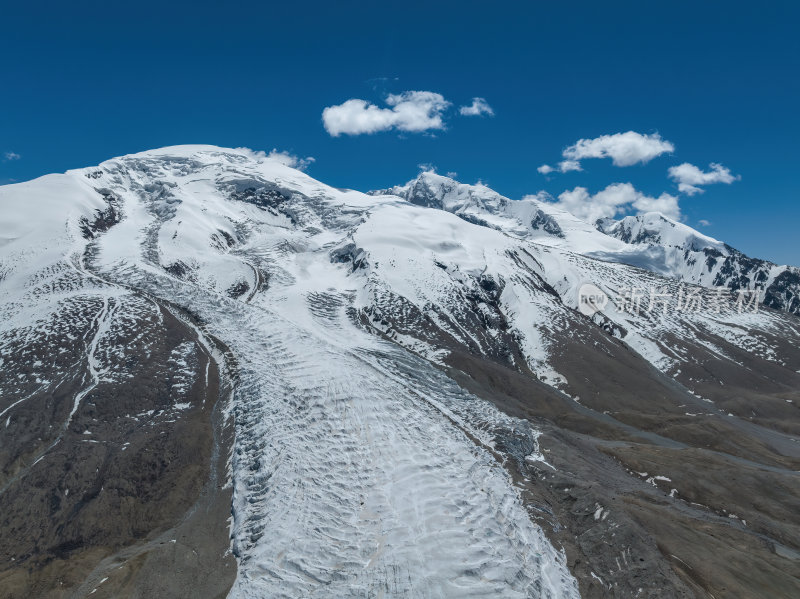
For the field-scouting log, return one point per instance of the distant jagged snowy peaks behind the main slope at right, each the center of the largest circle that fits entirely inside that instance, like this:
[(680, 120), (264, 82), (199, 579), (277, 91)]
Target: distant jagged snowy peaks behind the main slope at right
[(651, 241)]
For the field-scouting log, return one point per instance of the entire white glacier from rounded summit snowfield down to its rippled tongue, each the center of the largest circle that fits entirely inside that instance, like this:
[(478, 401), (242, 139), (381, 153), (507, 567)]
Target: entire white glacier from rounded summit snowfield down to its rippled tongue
[(358, 468)]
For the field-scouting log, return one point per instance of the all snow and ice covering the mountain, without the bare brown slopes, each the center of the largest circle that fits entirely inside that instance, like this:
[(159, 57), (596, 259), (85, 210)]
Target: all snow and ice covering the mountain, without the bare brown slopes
[(340, 319)]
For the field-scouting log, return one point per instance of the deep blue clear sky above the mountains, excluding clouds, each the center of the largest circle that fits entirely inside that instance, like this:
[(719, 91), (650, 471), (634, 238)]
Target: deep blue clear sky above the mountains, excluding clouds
[(82, 82)]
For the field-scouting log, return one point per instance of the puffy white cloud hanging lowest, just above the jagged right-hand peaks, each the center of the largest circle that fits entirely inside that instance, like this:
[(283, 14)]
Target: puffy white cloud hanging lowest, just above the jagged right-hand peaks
[(615, 199)]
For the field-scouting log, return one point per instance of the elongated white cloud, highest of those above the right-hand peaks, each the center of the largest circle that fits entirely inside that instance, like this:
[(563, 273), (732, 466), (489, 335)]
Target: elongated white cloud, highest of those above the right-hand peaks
[(624, 149)]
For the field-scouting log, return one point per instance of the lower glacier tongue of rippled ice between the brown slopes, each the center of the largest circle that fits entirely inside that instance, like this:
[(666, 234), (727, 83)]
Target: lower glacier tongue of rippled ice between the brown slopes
[(353, 479)]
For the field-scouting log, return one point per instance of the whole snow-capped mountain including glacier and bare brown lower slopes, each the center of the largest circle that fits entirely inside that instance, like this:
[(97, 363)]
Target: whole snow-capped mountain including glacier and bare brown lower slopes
[(391, 394)]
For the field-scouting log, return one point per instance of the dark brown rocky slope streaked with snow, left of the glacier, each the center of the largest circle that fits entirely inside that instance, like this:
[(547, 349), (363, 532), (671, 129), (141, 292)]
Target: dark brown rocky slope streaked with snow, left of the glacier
[(109, 449)]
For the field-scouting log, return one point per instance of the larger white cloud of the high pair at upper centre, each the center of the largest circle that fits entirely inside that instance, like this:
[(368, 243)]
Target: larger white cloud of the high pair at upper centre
[(414, 111)]
